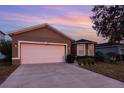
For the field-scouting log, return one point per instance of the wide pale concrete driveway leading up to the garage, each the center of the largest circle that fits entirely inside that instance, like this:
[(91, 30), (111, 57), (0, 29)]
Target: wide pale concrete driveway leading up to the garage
[(60, 75)]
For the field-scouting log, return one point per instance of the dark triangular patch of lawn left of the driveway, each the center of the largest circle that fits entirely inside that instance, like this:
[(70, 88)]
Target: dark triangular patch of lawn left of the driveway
[(6, 68)]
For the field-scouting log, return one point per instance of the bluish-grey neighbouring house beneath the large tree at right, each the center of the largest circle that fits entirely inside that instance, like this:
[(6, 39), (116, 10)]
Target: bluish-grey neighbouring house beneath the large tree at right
[(107, 47)]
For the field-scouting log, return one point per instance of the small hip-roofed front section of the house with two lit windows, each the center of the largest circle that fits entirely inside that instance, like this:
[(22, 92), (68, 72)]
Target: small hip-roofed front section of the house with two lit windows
[(83, 47)]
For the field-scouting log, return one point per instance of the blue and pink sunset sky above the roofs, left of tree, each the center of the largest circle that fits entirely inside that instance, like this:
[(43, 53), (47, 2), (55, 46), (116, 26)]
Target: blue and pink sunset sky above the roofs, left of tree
[(72, 20)]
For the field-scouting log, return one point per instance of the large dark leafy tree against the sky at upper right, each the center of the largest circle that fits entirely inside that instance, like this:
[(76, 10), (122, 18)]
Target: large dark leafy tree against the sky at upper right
[(108, 21)]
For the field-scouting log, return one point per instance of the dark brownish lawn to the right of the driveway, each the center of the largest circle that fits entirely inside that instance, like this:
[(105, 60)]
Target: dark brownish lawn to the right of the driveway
[(115, 71)]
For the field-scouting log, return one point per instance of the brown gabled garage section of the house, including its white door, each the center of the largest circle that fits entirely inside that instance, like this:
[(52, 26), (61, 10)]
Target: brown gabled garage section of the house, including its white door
[(39, 44)]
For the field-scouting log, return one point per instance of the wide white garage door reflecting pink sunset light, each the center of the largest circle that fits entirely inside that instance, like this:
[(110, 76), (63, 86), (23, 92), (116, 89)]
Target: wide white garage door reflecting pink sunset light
[(34, 53)]
